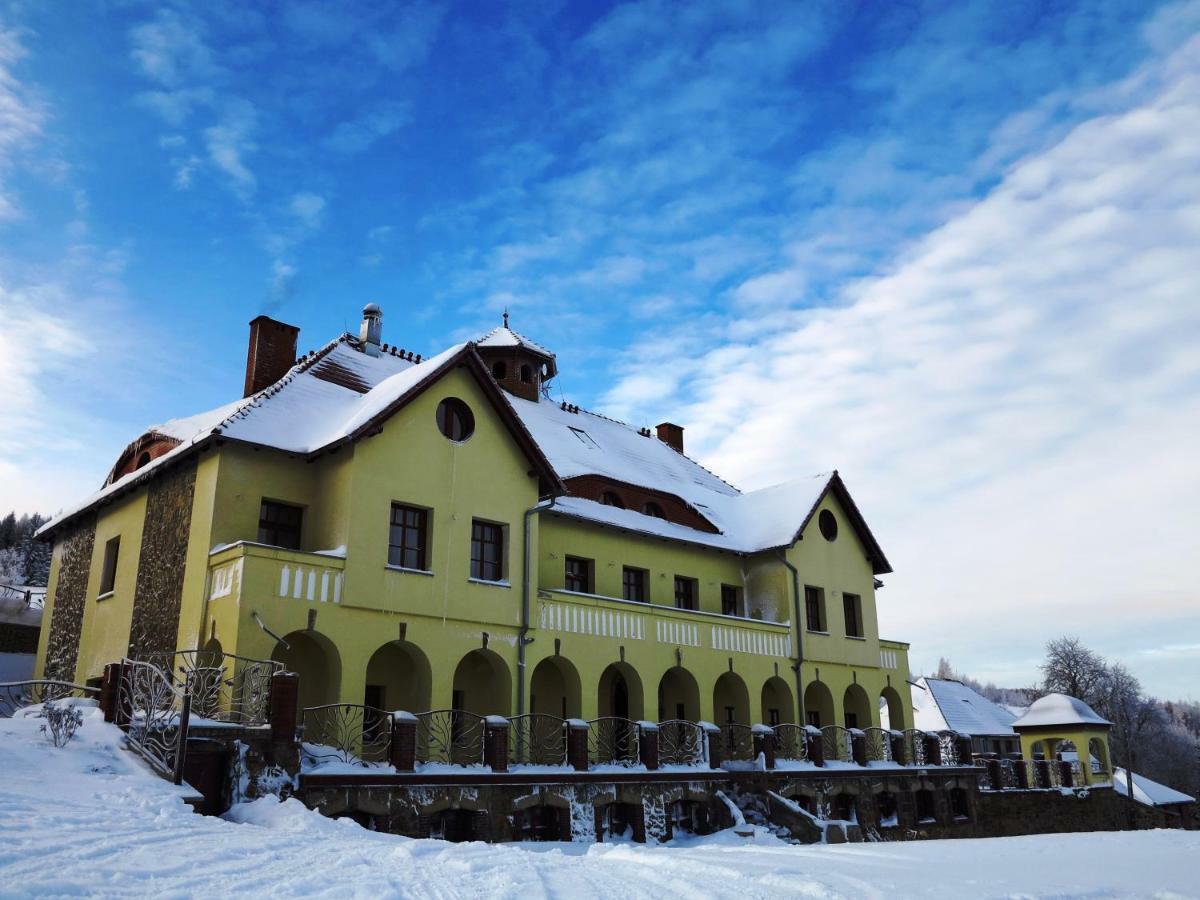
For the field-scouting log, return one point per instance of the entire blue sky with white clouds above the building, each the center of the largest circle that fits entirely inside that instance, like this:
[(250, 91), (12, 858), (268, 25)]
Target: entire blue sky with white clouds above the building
[(944, 248)]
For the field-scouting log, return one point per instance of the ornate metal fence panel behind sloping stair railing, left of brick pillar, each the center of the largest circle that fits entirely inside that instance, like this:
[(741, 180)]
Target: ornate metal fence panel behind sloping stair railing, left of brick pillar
[(224, 687)]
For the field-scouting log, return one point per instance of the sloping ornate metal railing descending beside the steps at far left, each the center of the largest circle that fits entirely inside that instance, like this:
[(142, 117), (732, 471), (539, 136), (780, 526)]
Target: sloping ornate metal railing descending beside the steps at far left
[(154, 712)]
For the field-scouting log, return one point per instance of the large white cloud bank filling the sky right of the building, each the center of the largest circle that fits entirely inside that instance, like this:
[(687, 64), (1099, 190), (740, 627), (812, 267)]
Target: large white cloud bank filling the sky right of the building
[(1016, 404)]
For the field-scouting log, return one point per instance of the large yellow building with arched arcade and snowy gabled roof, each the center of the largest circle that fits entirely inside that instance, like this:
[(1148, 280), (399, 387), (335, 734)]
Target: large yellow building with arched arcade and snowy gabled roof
[(437, 533)]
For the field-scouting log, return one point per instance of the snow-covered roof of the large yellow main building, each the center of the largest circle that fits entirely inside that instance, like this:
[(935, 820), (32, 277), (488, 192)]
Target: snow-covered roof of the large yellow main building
[(334, 394)]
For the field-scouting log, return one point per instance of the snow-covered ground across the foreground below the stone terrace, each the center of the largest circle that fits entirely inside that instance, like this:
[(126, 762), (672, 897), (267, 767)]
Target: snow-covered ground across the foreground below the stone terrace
[(89, 820)]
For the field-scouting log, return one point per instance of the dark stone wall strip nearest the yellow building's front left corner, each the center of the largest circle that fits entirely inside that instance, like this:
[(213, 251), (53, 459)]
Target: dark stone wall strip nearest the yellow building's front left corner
[(160, 586)]
